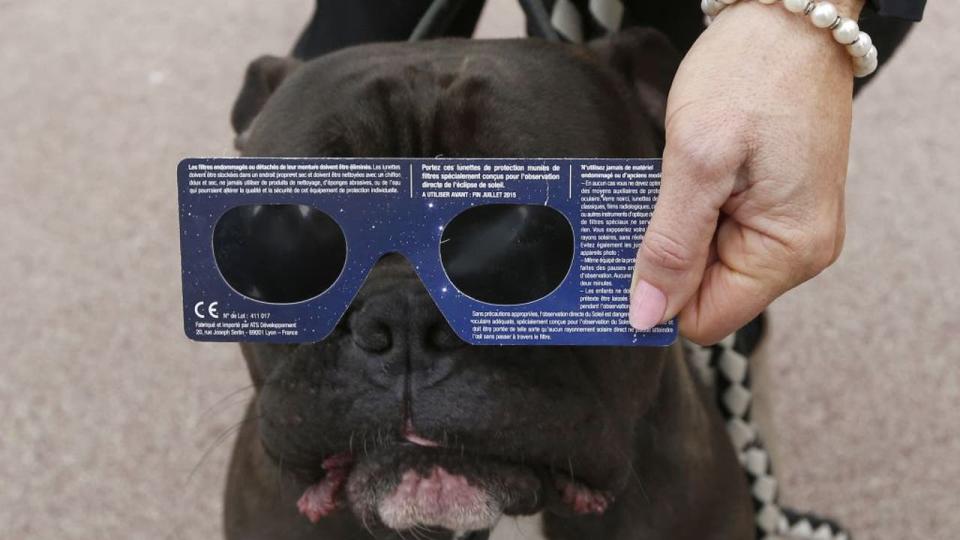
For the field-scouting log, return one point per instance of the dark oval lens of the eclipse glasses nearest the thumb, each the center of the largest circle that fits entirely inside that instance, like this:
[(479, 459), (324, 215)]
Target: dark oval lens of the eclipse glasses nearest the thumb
[(507, 253)]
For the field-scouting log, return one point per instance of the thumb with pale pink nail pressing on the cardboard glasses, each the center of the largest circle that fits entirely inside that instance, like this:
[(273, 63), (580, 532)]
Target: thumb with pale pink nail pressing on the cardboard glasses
[(673, 255)]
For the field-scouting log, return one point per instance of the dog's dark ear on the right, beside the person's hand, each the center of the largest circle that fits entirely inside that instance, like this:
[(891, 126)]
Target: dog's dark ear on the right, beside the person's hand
[(647, 61)]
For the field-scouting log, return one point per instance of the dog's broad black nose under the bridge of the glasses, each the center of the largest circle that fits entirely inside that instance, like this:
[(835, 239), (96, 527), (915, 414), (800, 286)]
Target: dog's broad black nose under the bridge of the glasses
[(402, 322)]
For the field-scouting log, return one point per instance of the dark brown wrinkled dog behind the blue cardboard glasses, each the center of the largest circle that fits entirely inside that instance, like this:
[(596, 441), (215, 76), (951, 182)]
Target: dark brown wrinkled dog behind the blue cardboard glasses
[(393, 427)]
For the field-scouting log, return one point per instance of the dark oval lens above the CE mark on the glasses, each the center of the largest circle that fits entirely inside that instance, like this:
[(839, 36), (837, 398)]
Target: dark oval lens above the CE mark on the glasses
[(279, 253)]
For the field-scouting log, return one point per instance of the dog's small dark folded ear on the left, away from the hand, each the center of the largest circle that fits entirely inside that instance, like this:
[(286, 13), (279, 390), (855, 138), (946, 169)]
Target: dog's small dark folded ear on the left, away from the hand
[(264, 75)]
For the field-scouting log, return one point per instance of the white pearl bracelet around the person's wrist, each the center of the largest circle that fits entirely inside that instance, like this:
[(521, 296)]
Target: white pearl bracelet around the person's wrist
[(823, 15)]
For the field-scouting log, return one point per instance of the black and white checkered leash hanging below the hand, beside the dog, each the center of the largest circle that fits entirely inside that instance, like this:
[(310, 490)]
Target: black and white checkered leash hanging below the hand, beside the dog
[(725, 368)]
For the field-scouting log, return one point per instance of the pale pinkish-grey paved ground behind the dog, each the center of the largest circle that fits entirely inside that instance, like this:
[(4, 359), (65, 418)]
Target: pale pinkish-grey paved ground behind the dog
[(107, 412)]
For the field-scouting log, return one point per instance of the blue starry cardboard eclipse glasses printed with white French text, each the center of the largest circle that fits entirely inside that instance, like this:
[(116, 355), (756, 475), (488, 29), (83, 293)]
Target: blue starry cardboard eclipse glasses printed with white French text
[(513, 251)]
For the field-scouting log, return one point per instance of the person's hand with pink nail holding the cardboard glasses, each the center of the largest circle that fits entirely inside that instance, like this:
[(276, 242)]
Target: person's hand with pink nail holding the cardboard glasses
[(751, 201)]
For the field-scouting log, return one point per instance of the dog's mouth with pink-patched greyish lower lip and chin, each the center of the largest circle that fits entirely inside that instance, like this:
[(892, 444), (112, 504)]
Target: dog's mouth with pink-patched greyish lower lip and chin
[(418, 483)]
